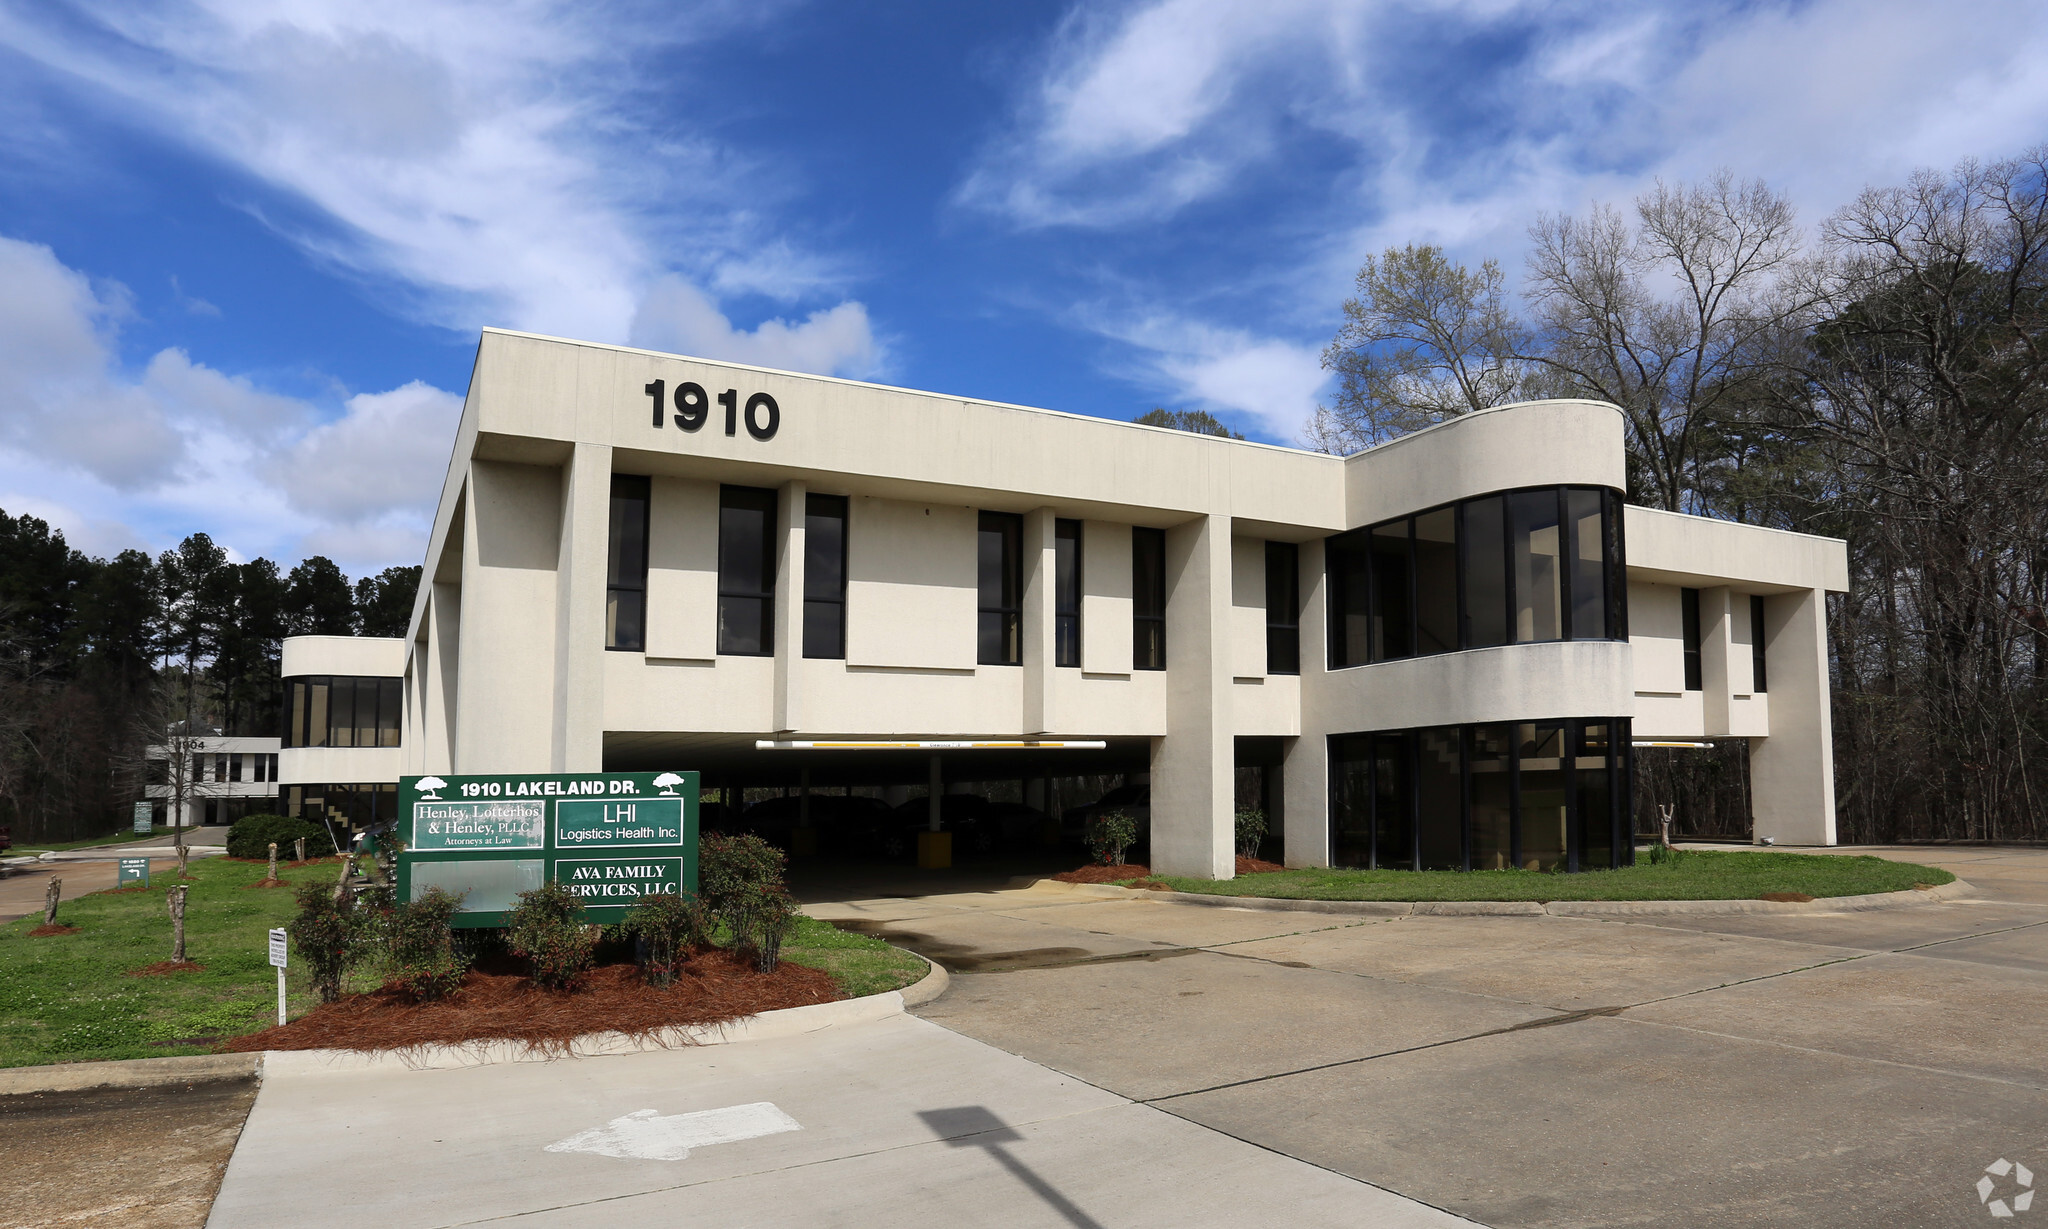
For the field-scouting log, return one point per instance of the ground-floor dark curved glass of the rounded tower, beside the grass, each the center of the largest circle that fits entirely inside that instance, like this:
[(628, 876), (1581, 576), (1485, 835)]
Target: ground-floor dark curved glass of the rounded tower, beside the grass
[(1535, 796)]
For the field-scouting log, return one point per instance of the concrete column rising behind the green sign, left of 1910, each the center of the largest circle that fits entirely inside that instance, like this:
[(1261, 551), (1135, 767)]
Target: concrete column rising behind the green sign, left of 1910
[(587, 532)]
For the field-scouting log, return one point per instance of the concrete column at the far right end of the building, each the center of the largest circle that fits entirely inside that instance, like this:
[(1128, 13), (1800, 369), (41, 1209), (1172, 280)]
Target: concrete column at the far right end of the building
[(1793, 771)]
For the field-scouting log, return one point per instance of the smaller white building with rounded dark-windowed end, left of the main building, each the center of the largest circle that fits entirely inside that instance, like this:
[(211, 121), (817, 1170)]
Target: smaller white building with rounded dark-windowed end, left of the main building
[(343, 726)]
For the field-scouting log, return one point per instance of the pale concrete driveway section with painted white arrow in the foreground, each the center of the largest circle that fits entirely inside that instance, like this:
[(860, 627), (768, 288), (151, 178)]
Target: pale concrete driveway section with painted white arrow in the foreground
[(886, 1124)]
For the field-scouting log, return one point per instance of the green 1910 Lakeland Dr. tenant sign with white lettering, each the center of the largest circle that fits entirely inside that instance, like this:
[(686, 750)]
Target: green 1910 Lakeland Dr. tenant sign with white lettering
[(607, 837)]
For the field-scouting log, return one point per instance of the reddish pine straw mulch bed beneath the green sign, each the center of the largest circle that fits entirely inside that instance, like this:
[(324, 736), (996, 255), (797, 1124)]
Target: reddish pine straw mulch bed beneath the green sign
[(503, 1005)]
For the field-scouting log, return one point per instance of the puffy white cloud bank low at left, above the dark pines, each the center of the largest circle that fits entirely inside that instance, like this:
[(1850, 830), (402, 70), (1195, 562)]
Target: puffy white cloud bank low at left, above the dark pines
[(122, 460)]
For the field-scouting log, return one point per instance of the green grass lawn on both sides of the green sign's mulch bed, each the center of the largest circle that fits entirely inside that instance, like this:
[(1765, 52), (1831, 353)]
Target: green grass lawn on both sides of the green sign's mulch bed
[(71, 999)]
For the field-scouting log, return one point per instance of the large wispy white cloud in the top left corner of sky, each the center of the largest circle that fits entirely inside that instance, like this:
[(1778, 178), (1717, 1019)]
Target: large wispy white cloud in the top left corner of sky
[(486, 157)]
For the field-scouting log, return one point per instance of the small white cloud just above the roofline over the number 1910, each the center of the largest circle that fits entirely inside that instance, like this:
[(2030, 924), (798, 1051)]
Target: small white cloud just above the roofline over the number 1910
[(677, 316)]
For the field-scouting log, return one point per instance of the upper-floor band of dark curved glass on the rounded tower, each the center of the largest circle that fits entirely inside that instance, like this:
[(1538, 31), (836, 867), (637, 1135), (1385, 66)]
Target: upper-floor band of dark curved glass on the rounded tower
[(1506, 568)]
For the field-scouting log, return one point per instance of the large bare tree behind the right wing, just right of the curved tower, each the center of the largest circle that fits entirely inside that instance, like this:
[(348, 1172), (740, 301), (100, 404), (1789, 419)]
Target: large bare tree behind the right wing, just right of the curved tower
[(1676, 319)]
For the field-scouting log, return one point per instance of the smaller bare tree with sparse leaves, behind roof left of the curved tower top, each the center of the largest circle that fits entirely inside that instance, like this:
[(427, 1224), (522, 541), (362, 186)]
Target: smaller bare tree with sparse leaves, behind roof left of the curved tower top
[(1422, 341)]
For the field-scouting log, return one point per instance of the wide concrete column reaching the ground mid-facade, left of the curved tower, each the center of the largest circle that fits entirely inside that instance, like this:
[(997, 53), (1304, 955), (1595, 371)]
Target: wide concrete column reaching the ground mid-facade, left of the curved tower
[(1193, 786)]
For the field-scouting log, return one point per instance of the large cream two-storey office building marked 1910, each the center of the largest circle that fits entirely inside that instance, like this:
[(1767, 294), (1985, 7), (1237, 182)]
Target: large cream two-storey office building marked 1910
[(1441, 650)]
